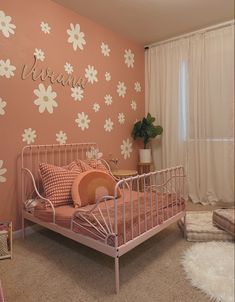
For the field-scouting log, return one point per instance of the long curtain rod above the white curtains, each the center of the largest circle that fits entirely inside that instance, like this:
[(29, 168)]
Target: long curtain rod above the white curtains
[(206, 29)]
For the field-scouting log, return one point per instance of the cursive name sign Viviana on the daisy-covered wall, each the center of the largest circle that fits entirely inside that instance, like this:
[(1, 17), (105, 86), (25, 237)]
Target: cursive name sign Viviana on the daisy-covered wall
[(47, 73)]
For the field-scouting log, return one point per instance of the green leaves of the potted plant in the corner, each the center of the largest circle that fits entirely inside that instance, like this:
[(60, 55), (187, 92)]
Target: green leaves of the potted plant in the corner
[(146, 130)]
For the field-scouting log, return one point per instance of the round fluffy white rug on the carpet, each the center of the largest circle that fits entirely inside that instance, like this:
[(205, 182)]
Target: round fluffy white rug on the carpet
[(210, 267)]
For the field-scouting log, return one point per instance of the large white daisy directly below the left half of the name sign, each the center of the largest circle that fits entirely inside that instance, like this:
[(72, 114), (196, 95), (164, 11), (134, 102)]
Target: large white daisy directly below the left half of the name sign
[(45, 99)]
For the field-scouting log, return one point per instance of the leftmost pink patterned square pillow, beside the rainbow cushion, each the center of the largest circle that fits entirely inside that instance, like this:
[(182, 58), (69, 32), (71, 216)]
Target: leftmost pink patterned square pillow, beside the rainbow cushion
[(57, 183)]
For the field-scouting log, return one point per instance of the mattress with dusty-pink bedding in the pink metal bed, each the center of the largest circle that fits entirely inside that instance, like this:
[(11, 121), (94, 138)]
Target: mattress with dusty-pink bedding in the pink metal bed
[(145, 215)]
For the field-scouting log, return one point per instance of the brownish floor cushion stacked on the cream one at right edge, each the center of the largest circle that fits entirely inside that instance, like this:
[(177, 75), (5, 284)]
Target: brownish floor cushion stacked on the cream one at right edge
[(224, 219)]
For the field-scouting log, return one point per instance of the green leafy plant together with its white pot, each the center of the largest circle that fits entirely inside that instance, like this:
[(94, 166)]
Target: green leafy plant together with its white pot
[(146, 130)]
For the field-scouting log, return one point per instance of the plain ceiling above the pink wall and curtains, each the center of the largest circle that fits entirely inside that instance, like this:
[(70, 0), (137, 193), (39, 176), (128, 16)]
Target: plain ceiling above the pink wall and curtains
[(149, 21)]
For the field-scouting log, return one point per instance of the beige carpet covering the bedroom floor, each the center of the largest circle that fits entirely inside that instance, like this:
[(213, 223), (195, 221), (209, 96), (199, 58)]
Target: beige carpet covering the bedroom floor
[(47, 267)]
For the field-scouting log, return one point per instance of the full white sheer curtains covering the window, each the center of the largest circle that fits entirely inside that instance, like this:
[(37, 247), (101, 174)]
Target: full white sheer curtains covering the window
[(190, 89)]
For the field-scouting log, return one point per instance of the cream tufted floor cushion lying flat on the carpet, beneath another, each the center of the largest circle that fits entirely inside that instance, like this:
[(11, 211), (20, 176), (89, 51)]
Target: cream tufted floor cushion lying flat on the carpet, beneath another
[(198, 226)]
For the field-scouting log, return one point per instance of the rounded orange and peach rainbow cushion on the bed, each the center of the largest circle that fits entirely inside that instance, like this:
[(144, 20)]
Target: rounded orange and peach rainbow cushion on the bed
[(89, 186)]
